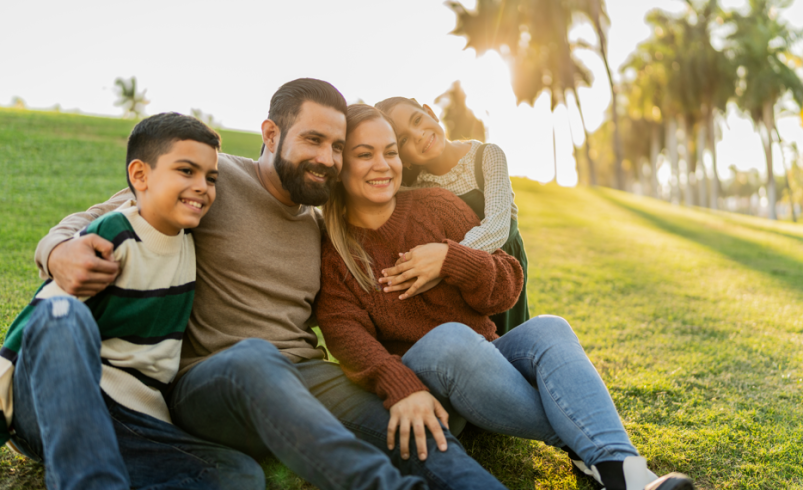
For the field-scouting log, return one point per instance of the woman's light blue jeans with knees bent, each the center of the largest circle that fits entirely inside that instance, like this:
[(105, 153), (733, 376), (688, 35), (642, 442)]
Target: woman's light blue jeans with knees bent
[(534, 382)]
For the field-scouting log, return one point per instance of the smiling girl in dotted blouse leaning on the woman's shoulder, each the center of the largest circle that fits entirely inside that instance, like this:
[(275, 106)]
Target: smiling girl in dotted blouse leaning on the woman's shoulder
[(475, 172)]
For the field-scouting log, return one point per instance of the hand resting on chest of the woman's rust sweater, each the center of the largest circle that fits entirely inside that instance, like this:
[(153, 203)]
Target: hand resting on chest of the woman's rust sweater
[(415, 269)]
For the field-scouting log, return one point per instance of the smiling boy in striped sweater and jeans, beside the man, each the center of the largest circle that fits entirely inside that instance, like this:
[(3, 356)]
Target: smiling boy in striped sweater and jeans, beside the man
[(81, 380)]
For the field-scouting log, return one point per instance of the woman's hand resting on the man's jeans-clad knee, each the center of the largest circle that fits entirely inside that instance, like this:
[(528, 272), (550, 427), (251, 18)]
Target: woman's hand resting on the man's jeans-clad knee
[(419, 411)]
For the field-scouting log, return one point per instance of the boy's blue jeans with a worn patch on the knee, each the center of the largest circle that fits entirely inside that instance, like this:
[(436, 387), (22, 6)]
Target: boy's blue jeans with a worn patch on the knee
[(86, 440)]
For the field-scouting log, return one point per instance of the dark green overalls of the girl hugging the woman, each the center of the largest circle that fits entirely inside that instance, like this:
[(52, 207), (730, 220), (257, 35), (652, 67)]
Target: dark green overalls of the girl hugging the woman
[(514, 246)]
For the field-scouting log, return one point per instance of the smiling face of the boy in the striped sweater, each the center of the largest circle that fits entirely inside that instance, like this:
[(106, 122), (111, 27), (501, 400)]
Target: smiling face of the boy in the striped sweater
[(177, 192)]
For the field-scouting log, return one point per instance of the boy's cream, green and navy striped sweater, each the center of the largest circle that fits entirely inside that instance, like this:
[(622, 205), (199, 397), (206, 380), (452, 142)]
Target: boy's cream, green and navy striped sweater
[(142, 315)]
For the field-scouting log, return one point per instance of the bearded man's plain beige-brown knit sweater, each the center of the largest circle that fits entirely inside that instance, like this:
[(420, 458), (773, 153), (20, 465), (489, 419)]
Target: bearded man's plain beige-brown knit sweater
[(258, 267)]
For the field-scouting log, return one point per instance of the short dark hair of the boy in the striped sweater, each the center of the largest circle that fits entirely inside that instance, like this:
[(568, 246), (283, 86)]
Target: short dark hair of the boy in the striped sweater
[(154, 136)]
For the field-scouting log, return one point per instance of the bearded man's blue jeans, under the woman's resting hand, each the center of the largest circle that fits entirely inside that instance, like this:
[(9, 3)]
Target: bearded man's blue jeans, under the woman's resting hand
[(321, 425)]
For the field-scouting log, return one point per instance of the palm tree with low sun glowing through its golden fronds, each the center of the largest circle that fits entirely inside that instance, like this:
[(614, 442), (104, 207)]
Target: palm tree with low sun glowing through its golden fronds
[(533, 37)]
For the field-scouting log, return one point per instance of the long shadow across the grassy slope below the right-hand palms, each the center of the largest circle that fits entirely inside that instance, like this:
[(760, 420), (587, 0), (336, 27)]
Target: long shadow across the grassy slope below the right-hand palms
[(753, 255)]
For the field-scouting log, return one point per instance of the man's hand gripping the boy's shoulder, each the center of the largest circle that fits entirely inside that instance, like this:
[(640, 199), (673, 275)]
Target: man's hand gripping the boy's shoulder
[(83, 266)]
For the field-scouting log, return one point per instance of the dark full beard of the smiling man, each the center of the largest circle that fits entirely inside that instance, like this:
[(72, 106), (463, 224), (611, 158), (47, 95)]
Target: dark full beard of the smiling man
[(294, 181)]
